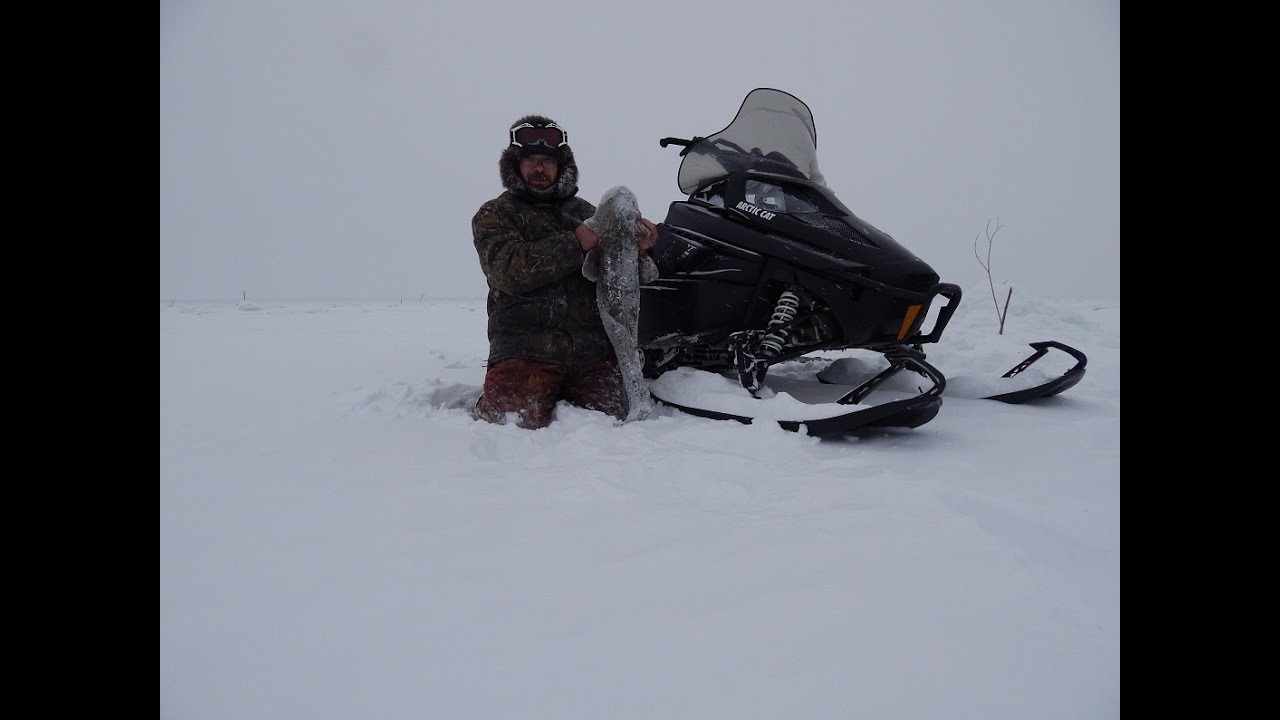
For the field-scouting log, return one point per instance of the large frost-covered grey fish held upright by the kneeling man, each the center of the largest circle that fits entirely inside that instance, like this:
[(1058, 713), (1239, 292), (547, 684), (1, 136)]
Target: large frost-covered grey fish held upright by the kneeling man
[(619, 271)]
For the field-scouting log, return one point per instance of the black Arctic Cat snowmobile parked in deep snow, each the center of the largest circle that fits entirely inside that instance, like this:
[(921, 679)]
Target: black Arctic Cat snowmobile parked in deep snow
[(762, 265)]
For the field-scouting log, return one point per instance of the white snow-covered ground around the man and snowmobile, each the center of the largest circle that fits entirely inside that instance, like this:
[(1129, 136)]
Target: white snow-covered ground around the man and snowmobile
[(340, 541)]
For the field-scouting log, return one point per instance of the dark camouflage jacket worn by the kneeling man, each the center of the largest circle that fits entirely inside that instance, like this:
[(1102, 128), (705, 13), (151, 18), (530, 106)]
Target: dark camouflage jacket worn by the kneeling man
[(540, 304)]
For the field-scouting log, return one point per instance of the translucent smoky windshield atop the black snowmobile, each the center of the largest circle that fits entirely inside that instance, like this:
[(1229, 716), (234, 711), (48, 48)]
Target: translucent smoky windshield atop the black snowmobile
[(774, 133)]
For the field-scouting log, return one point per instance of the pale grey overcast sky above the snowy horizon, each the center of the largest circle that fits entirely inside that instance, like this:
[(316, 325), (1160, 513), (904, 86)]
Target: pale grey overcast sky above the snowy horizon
[(328, 149)]
